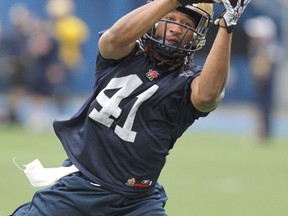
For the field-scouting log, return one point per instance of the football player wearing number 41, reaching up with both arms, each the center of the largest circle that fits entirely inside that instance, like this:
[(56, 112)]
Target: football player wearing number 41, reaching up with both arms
[(148, 91)]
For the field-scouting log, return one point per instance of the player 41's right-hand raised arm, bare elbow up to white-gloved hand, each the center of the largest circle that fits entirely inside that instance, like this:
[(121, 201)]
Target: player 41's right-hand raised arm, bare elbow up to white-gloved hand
[(208, 88)]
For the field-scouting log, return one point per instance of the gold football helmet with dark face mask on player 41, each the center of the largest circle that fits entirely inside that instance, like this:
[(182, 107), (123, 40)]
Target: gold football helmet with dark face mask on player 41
[(202, 14)]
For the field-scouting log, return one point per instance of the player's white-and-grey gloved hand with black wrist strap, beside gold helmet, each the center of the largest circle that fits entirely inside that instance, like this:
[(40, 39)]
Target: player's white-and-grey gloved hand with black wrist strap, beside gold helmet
[(233, 10)]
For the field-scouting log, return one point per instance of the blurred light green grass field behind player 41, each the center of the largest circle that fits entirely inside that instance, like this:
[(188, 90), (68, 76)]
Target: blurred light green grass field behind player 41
[(205, 175)]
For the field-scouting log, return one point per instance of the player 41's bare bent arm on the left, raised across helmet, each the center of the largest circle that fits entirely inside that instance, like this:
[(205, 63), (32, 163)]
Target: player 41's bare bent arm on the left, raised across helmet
[(123, 34)]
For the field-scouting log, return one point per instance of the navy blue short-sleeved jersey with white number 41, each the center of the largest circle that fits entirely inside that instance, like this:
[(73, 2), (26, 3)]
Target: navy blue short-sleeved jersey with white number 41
[(122, 134)]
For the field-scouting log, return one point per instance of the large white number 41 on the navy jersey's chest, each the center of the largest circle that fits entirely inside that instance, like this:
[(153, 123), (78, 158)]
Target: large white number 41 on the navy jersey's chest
[(110, 105)]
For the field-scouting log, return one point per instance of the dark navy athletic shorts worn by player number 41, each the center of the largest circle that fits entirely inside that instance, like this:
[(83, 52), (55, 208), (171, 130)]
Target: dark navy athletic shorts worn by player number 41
[(74, 195)]
